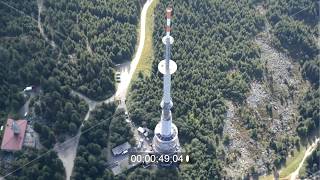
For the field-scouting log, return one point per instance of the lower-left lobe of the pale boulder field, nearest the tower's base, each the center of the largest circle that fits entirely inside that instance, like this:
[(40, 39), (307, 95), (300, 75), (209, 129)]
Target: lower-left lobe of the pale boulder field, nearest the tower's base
[(247, 152)]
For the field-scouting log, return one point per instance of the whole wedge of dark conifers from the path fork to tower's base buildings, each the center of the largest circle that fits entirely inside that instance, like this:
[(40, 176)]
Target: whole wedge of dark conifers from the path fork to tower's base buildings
[(110, 130)]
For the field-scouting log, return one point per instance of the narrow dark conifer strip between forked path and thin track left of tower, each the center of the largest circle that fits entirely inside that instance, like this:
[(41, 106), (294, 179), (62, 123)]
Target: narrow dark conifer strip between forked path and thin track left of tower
[(90, 161)]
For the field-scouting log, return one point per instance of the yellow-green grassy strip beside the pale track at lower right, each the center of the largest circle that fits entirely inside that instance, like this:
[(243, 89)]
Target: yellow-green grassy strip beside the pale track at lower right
[(292, 163)]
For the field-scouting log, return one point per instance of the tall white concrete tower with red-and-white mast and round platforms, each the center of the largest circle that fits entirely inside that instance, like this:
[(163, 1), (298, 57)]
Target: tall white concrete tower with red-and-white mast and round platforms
[(165, 139)]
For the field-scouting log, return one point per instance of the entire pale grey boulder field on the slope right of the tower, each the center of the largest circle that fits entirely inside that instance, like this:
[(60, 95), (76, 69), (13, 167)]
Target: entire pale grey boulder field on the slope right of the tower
[(281, 88)]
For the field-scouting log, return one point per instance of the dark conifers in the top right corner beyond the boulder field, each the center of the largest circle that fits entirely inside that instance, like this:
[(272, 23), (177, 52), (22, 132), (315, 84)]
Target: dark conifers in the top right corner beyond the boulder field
[(295, 28)]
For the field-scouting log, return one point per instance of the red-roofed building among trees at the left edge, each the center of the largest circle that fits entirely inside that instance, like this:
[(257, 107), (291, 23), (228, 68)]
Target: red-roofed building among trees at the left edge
[(13, 135)]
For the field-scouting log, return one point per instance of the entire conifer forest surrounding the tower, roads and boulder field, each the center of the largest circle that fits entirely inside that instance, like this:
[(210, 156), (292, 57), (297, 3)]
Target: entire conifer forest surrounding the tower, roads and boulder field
[(61, 46)]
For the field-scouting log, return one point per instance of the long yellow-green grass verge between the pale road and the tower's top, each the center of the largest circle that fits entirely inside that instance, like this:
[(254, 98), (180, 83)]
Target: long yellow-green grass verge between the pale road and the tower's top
[(145, 63)]
